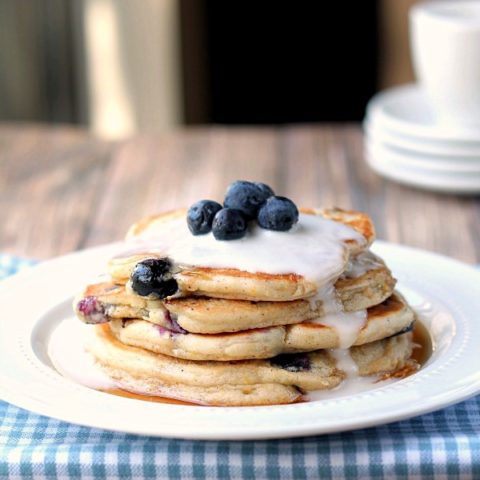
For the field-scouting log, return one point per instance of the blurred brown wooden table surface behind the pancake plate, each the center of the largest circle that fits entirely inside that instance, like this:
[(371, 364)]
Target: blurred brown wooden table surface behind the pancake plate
[(62, 190)]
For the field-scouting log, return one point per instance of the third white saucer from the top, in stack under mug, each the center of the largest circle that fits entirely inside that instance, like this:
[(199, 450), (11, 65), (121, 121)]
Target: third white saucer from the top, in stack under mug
[(455, 166)]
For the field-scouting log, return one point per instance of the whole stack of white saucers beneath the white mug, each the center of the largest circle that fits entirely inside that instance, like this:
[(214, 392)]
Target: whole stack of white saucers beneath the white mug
[(404, 142)]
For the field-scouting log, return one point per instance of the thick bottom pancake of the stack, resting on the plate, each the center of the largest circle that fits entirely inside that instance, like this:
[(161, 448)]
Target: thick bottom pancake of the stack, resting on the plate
[(250, 382)]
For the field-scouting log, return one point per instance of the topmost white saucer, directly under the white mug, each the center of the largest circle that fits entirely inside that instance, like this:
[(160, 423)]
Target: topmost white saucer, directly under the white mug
[(407, 110)]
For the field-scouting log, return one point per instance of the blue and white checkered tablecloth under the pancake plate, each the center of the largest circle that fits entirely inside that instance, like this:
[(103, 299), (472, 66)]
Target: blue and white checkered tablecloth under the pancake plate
[(442, 445)]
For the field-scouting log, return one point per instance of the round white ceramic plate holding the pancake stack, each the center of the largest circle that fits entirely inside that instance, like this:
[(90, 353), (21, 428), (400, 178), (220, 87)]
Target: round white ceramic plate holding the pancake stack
[(444, 292)]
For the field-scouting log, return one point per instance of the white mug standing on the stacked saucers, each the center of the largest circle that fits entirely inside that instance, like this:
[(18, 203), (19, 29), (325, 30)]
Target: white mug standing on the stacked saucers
[(445, 43)]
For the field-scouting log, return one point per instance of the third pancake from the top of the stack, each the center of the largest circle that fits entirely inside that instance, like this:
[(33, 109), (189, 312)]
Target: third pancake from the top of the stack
[(384, 320)]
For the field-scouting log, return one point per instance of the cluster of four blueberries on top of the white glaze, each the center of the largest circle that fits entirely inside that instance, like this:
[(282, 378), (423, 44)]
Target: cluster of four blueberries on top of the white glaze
[(244, 202)]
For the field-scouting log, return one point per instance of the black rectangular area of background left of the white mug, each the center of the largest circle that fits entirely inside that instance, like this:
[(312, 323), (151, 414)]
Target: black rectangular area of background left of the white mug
[(278, 62)]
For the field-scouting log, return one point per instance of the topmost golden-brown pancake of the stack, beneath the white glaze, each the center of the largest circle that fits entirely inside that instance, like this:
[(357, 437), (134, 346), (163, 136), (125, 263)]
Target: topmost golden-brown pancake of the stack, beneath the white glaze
[(233, 283)]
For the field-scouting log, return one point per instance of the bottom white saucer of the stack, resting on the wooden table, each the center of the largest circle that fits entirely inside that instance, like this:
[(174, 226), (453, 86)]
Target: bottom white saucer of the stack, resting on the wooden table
[(388, 165)]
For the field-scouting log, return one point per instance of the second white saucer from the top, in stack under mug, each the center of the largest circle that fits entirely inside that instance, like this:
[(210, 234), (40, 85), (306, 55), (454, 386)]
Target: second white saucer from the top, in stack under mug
[(438, 148)]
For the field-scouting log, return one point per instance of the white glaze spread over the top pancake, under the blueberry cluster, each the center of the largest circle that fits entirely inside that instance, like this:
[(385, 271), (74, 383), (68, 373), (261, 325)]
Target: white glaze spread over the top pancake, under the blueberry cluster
[(314, 248)]
